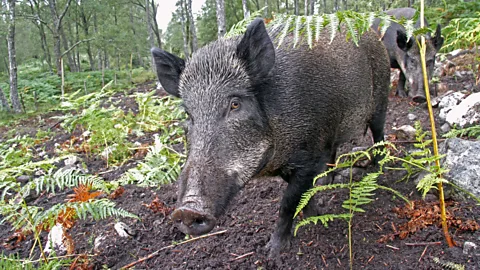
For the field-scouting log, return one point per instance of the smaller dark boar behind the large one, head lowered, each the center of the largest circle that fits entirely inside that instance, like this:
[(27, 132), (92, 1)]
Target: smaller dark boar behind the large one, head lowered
[(406, 55)]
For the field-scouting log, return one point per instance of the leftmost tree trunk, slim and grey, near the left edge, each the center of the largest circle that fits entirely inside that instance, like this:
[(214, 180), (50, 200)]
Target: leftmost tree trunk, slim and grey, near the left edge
[(14, 98)]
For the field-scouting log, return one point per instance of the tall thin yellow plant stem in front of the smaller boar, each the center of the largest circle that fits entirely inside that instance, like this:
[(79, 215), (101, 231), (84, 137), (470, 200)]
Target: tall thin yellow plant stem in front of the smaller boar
[(434, 133)]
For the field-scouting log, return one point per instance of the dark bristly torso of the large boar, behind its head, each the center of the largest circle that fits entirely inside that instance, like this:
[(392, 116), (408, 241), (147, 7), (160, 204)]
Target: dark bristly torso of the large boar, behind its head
[(326, 95)]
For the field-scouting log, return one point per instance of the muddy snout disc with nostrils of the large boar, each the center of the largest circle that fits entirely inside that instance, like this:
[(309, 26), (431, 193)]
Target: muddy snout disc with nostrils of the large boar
[(193, 222)]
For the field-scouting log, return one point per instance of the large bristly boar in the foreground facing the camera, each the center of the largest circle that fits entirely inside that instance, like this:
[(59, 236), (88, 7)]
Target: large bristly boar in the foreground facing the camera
[(256, 110)]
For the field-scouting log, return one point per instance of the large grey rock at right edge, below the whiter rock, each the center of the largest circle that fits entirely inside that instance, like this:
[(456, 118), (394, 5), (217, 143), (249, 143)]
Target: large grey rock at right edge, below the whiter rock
[(463, 162)]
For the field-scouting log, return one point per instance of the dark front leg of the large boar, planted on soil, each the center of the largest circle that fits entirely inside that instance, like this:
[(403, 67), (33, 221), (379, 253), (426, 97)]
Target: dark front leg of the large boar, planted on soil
[(299, 182)]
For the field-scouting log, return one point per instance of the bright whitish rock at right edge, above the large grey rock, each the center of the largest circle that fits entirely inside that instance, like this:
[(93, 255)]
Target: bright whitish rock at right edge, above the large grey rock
[(467, 113)]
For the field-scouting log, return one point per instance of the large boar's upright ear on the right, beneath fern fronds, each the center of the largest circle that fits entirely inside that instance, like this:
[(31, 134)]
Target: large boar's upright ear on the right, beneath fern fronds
[(256, 49)]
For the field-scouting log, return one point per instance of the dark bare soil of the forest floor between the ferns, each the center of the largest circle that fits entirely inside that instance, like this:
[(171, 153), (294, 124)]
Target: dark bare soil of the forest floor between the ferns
[(251, 216)]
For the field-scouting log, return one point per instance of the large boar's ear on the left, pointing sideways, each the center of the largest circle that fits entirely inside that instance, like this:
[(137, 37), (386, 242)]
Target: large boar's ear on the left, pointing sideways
[(169, 67)]
